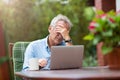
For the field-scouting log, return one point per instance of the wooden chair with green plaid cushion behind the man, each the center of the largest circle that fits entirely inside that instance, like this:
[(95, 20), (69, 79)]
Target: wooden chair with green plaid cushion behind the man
[(16, 52)]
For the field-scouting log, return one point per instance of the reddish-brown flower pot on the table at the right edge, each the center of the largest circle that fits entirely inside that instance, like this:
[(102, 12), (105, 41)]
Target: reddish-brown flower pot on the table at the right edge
[(113, 59)]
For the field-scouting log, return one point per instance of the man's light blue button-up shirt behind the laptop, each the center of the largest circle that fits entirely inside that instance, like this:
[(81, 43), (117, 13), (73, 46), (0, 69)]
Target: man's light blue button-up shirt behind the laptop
[(38, 49)]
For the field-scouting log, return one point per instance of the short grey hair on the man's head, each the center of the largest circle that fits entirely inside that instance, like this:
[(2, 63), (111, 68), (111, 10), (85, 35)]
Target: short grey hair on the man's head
[(60, 17)]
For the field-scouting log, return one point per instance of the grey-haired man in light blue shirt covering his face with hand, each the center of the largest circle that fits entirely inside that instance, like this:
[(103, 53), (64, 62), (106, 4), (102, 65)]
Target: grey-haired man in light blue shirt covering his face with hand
[(58, 35)]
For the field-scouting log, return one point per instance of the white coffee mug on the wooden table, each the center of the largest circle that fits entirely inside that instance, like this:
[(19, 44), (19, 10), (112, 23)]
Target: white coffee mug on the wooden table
[(33, 64)]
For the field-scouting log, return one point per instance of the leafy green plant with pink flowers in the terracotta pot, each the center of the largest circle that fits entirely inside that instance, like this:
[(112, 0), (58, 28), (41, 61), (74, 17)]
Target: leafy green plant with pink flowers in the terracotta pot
[(105, 27)]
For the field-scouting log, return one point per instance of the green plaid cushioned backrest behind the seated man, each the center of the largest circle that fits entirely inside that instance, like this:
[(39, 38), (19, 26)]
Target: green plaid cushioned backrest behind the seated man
[(18, 55)]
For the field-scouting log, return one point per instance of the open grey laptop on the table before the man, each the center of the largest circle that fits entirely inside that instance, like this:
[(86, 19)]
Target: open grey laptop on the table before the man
[(66, 57)]
